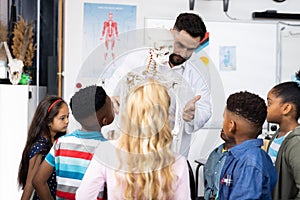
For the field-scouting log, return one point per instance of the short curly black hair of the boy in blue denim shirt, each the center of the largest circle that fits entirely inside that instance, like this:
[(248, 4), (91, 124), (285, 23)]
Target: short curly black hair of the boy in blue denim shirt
[(249, 106)]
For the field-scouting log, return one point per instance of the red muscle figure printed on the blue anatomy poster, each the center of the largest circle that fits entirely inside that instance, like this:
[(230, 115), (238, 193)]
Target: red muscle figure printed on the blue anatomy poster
[(110, 30)]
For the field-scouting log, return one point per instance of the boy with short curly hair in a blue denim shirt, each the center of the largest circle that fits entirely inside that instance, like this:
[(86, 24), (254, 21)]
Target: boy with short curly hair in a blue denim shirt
[(248, 172)]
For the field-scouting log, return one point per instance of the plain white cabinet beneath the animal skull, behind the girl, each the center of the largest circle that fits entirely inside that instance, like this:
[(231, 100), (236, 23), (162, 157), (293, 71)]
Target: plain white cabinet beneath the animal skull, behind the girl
[(17, 106)]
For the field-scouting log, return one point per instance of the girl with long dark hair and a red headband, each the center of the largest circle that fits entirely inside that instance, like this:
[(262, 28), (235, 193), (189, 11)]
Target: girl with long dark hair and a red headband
[(50, 121)]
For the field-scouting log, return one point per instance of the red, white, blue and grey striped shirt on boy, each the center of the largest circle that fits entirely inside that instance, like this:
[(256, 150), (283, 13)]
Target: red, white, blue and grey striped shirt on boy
[(70, 156)]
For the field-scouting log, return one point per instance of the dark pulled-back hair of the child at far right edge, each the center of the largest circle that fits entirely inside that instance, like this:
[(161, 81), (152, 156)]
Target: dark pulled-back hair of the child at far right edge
[(289, 92)]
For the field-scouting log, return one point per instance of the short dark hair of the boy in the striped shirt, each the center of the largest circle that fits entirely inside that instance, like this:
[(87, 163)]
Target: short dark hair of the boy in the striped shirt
[(87, 101)]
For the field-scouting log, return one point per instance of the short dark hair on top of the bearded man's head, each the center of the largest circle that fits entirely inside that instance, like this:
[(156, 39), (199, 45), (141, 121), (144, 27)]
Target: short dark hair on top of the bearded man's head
[(191, 23)]
